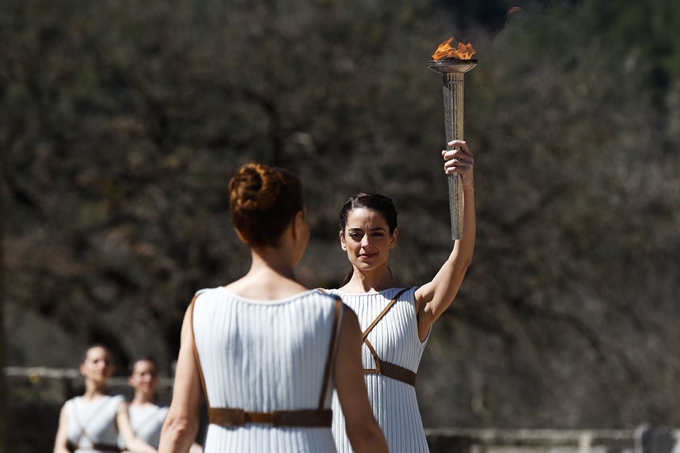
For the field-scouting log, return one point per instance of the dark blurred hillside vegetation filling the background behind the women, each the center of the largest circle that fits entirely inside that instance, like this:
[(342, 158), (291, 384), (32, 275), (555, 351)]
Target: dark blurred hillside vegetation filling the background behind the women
[(122, 120)]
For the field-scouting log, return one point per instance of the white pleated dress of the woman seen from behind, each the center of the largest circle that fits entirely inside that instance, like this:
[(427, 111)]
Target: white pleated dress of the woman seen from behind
[(262, 356)]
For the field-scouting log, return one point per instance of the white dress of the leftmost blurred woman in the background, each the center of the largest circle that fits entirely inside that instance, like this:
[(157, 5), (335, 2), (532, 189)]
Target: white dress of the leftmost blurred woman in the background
[(92, 423)]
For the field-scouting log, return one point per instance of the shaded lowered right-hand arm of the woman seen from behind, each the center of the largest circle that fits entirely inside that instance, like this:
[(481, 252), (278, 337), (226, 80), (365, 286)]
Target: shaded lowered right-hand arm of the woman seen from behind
[(363, 431)]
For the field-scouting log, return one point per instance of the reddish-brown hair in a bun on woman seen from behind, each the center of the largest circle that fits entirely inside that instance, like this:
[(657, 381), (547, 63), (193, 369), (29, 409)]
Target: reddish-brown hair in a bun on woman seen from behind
[(264, 200)]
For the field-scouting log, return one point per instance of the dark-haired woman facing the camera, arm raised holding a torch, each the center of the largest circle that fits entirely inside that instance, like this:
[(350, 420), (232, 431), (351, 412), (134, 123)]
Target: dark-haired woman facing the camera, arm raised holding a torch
[(395, 321)]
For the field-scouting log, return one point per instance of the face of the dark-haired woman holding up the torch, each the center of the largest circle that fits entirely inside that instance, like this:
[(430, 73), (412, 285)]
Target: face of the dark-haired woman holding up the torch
[(367, 239)]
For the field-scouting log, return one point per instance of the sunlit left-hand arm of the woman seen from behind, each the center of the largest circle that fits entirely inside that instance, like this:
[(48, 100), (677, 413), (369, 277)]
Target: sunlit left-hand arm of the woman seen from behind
[(181, 424)]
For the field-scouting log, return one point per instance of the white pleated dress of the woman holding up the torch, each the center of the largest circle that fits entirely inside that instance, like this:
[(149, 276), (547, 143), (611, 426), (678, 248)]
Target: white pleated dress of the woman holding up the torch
[(395, 339)]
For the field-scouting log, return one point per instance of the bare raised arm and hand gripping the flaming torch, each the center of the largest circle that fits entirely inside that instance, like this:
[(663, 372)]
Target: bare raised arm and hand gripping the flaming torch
[(433, 298)]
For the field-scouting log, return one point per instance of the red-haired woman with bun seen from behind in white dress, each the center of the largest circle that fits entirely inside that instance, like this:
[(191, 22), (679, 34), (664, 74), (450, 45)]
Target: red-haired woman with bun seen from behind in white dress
[(266, 350)]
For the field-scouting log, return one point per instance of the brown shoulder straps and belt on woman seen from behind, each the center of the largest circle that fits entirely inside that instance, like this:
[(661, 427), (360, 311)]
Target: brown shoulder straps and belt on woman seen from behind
[(305, 418)]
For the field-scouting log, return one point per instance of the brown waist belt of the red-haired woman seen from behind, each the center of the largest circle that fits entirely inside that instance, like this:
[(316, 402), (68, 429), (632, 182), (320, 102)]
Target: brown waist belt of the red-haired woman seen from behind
[(312, 418)]
